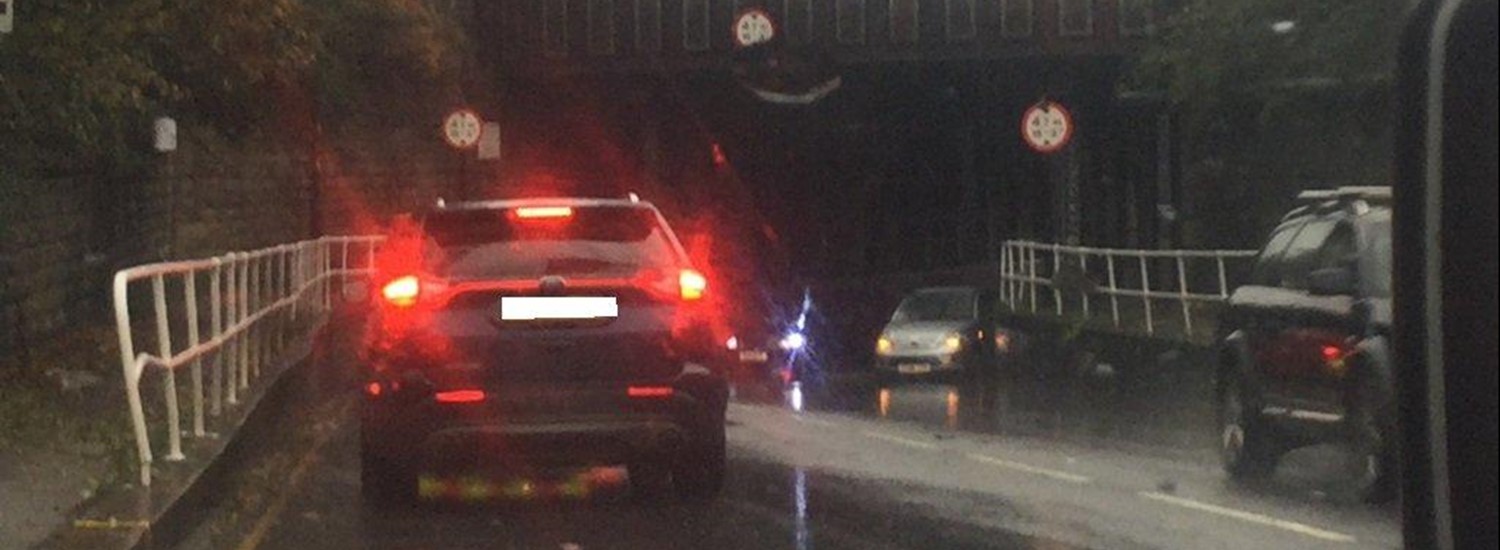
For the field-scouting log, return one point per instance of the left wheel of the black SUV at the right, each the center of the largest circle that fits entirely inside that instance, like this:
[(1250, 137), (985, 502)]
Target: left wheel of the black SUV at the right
[(1246, 444)]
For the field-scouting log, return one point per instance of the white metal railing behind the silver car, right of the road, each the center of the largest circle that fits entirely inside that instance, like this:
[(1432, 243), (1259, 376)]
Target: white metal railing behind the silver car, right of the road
[(1115, 274)]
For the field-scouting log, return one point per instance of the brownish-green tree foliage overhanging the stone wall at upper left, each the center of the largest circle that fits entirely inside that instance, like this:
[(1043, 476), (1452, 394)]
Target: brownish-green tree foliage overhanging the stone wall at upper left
[(82, 79)]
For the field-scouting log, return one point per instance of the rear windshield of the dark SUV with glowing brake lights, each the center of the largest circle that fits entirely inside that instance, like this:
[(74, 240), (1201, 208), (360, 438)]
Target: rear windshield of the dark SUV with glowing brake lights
[(595, 242)]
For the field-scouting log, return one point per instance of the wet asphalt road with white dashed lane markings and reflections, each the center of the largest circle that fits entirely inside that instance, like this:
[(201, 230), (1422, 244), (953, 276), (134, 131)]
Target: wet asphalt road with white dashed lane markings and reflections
[(928, 465)]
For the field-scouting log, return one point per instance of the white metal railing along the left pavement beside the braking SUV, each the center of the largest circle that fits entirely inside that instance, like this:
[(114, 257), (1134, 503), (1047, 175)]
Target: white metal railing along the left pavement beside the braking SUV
[(256, 302)]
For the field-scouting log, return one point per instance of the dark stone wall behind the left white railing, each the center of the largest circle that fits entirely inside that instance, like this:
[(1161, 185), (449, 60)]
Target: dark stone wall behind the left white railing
[(64, 238)]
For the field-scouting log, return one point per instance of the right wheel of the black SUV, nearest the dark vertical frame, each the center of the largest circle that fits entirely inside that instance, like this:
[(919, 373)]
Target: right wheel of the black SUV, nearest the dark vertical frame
[(1372, 456)]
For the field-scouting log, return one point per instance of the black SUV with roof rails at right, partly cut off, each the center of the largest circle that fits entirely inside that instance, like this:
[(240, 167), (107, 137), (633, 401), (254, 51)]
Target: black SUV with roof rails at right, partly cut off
[(1304, 354)]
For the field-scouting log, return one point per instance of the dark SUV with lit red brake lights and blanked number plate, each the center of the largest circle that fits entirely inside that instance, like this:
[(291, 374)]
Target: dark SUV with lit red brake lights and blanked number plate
[(538, 333)]
